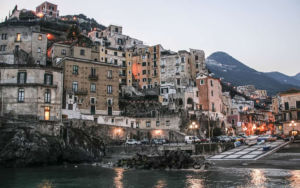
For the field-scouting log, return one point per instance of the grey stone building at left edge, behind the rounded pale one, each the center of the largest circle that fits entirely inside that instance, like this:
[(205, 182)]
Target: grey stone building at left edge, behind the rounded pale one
[(22, 45)]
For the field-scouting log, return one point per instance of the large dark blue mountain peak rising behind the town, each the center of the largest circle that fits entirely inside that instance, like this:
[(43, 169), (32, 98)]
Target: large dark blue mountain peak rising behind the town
[(238, 74)]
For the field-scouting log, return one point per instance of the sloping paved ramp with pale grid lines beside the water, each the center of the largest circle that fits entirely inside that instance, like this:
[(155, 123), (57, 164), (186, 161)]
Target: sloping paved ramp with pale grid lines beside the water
[(247, 152)]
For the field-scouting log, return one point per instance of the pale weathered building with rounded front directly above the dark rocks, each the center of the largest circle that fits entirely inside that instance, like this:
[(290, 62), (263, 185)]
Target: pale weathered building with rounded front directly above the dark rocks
[(31, 92)]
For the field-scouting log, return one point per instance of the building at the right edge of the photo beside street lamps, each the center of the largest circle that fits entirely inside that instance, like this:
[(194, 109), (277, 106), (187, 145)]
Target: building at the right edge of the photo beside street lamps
[(290, 100)]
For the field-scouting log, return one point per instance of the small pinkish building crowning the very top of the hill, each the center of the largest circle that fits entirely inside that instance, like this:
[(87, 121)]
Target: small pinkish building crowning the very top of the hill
[(47, 9)]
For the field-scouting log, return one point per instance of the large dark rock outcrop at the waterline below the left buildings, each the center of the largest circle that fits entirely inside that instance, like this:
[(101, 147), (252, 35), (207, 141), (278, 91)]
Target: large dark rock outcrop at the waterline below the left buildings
[(25, 146)]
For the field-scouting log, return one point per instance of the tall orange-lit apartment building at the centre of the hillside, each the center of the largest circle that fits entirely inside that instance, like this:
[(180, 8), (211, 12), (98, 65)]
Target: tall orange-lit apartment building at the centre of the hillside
[(146, 66)]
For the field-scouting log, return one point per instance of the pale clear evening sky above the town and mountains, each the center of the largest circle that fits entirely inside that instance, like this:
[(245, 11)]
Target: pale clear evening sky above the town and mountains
[(263, 34)]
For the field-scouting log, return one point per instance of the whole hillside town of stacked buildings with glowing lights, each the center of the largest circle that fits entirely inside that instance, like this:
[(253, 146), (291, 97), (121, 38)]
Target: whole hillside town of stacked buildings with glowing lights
[(98, 74)]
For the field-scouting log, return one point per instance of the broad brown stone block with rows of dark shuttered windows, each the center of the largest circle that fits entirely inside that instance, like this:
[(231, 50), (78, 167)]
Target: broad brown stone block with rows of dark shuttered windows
[(90, 87)]
